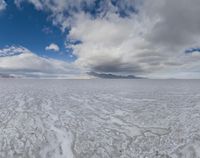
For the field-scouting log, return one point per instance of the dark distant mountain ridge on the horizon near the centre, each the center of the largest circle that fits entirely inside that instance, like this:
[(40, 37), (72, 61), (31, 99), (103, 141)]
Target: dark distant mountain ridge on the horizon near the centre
[(112, 76)]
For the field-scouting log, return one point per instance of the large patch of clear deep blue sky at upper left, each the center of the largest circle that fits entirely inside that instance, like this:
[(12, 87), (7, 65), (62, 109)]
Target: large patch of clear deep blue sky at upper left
[(31, 28)]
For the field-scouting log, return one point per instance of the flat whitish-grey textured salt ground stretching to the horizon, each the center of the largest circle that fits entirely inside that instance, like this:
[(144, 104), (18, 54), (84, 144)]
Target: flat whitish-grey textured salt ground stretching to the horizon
[(99, 118)]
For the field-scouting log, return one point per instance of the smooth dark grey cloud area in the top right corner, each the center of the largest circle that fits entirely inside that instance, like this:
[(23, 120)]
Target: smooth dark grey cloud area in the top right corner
[(179, 23)]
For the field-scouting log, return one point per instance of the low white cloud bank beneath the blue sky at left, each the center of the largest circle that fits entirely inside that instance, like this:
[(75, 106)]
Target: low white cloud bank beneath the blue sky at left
[(25, 63)]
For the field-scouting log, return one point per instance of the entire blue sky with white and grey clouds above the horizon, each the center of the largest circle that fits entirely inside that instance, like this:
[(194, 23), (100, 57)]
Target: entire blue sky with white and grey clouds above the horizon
[(78, 38)]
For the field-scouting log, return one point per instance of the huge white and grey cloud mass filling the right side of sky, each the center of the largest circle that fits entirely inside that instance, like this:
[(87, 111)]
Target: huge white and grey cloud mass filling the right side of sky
[(149, 43)]
